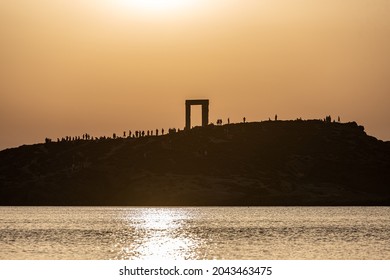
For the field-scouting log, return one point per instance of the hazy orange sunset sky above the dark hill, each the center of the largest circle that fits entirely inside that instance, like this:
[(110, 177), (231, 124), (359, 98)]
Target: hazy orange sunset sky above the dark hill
[(103, 66)]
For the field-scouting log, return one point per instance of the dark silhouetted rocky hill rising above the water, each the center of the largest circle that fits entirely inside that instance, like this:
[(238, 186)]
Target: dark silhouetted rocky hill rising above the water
[(264, 163)]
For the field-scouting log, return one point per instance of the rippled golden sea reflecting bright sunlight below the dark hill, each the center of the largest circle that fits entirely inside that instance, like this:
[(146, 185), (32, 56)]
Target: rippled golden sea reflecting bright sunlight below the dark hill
[(195, 233)]
